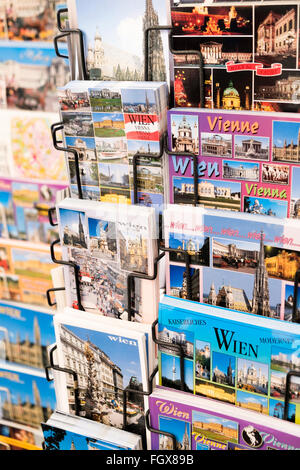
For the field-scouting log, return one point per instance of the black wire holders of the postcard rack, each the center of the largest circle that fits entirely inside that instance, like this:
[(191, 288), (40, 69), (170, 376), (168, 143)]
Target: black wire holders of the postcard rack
[(164, 148)]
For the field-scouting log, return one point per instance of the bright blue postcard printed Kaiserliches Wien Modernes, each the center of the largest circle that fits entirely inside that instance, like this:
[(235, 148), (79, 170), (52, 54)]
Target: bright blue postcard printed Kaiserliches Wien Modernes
[(238, 359)]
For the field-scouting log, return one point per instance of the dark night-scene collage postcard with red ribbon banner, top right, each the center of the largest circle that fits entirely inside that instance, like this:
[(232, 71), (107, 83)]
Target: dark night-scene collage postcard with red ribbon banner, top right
[(250, 53)]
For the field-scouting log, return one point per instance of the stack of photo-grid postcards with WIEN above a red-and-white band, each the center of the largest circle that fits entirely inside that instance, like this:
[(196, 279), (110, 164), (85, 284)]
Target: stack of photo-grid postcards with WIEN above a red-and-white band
[(107, 124)]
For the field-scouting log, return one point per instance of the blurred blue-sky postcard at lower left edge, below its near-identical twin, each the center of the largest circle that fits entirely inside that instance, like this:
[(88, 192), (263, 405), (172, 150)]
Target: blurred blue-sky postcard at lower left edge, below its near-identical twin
[(26, 396)]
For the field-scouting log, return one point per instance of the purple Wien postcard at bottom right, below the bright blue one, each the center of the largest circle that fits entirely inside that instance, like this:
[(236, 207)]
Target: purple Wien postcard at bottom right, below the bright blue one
[(200, 424)]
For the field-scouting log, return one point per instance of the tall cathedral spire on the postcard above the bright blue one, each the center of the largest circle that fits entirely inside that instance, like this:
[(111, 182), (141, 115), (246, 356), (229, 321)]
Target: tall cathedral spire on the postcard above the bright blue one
[(261, 295)]
